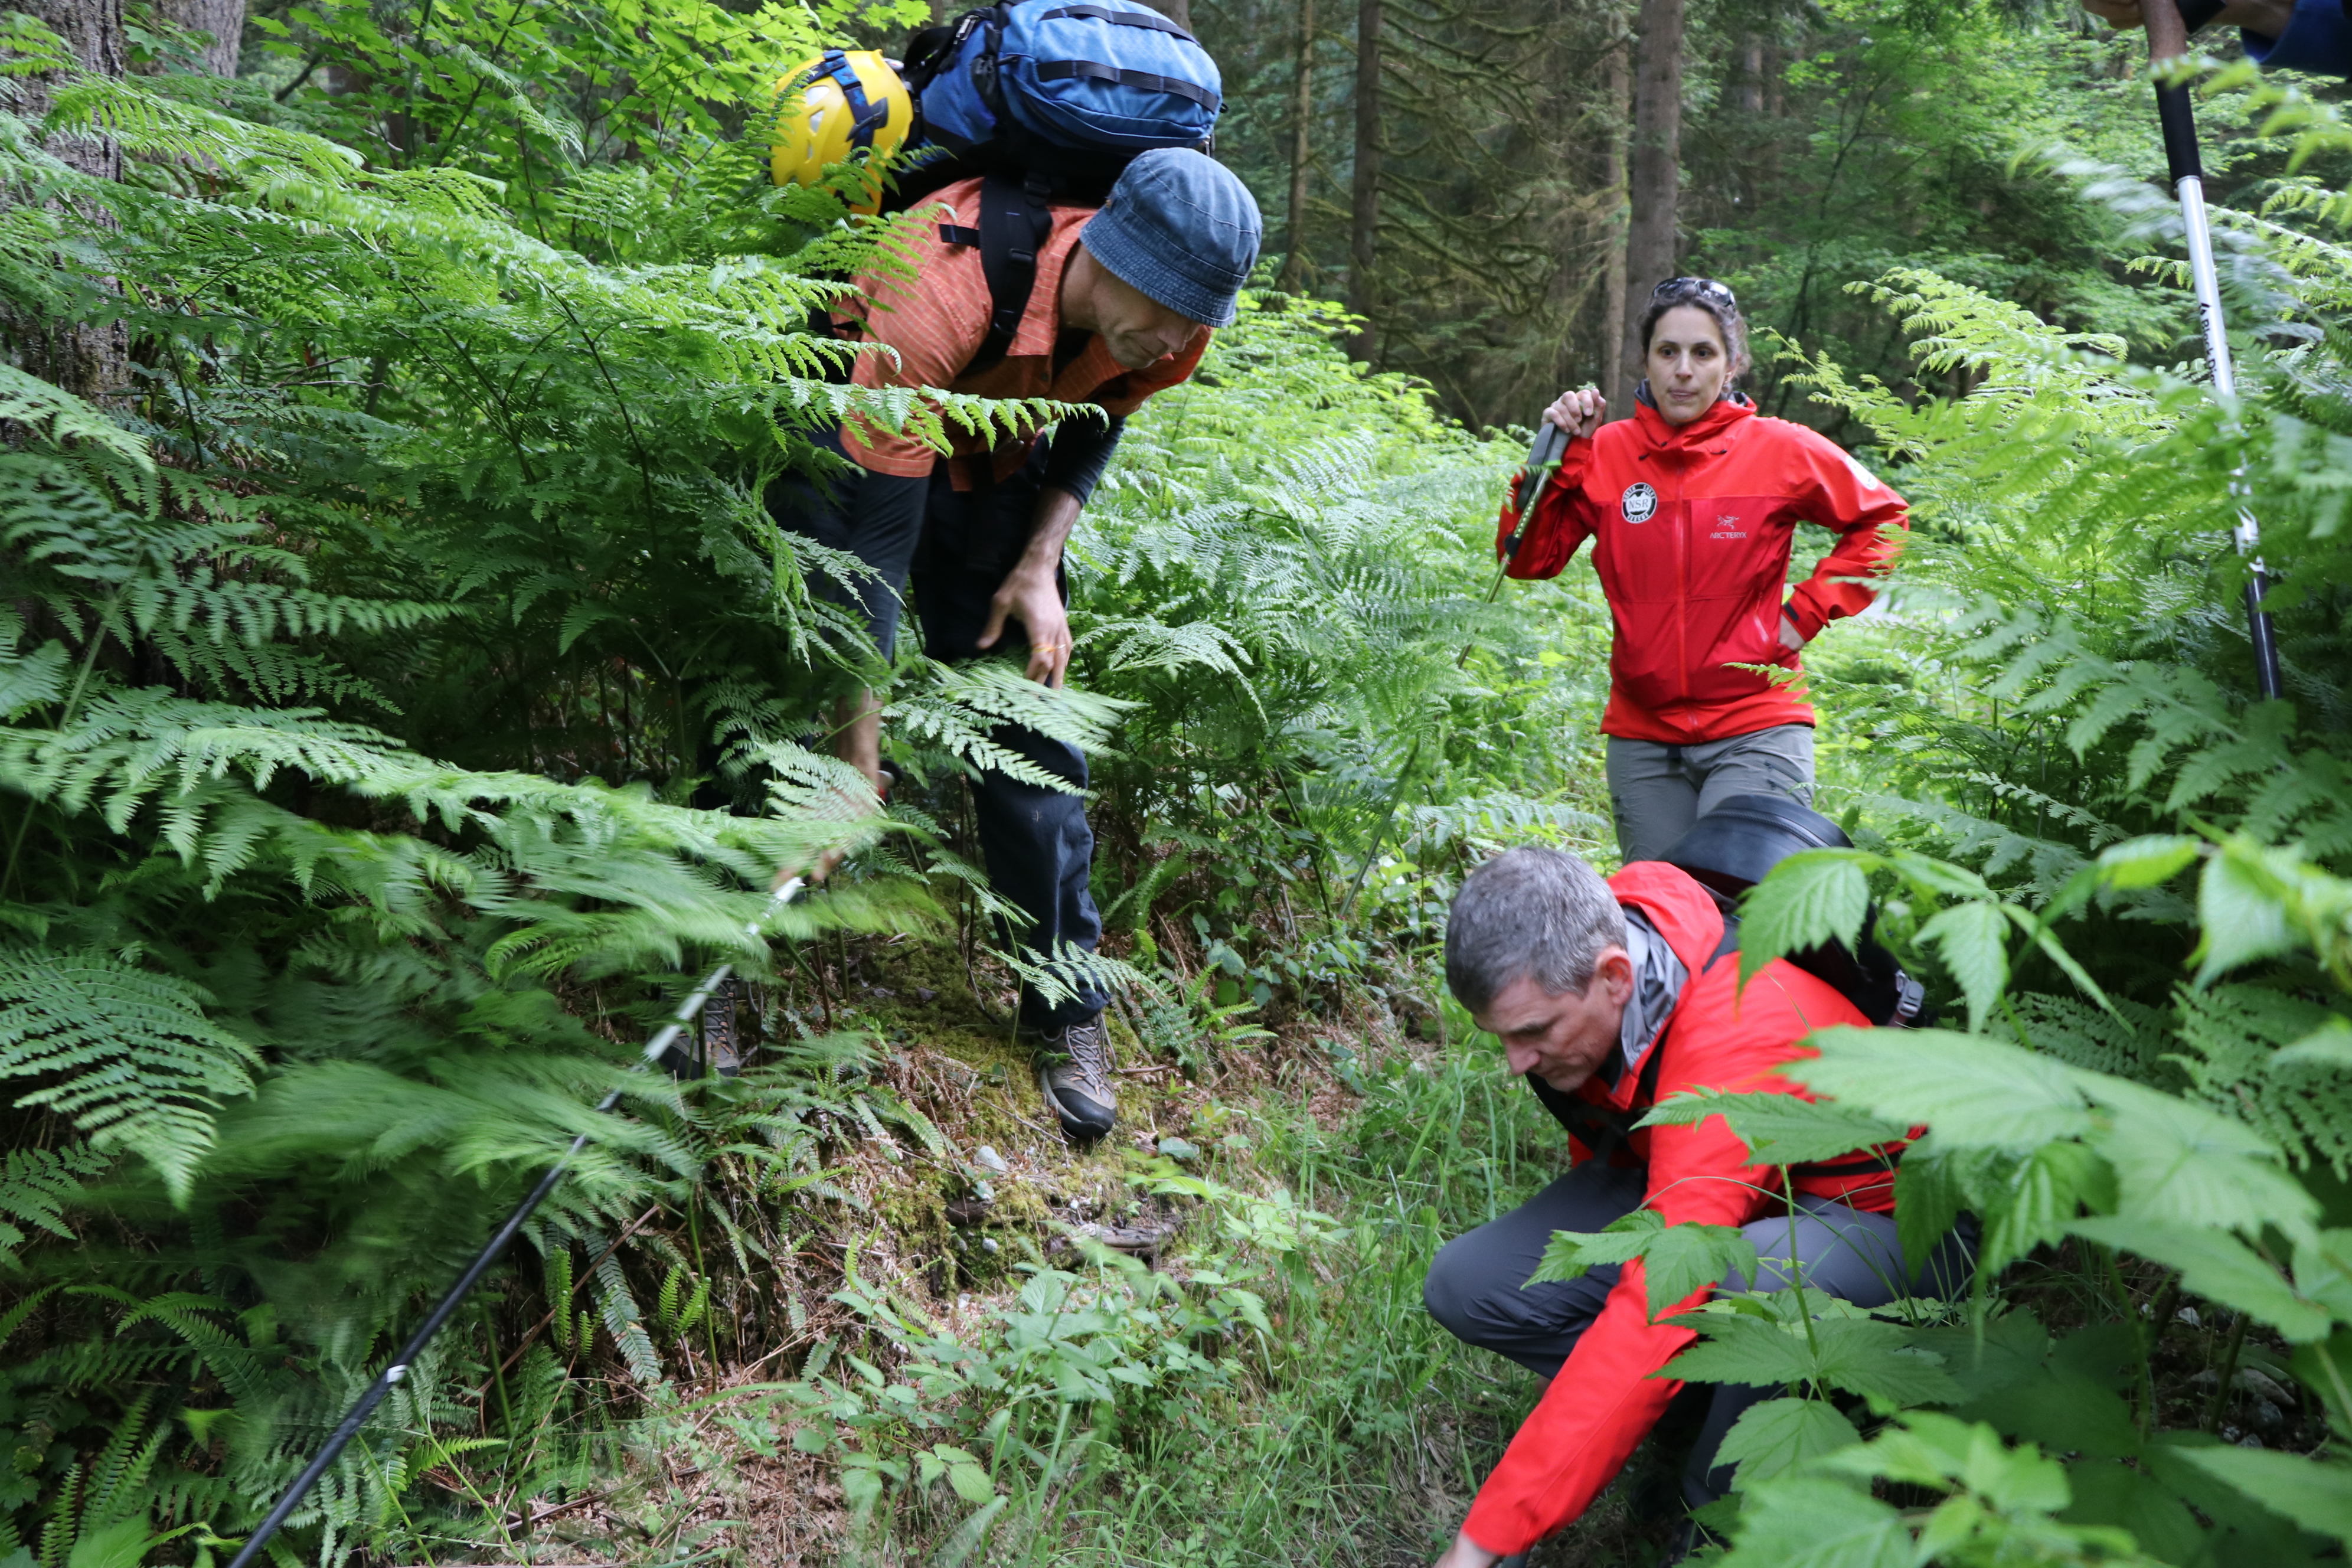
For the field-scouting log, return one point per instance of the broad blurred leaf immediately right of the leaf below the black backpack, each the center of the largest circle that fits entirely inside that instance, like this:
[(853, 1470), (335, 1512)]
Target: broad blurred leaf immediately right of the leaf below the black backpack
[(2193, 1167)]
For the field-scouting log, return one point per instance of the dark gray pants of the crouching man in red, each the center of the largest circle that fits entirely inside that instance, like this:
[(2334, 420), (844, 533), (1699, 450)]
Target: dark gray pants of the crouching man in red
[(1478, 1287)]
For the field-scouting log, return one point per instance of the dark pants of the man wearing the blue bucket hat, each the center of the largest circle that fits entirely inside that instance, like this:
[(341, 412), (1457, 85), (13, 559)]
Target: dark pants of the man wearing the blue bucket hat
[(1034, 840)]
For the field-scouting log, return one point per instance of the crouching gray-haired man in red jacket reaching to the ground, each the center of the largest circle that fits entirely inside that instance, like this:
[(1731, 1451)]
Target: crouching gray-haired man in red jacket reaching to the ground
[(1610, 998)]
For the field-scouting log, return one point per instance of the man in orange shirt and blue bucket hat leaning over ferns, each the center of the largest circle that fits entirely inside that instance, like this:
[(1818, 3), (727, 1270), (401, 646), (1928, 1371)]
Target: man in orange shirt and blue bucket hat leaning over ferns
[(1121, 304)]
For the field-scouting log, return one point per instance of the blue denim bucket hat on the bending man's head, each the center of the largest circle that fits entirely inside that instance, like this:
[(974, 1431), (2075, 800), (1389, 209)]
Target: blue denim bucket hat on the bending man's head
[(1182, 229)]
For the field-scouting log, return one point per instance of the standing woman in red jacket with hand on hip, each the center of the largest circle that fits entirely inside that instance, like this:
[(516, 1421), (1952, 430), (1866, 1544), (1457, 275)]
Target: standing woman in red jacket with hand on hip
[(1692, 509)]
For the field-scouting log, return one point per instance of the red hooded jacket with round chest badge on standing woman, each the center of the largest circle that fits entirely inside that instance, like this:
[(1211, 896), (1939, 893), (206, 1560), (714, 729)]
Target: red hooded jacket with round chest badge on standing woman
[(1692, 532)]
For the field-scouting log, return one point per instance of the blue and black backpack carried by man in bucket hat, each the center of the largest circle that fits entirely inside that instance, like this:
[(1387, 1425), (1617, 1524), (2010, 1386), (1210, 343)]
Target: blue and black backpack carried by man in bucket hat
[(1048, 102)]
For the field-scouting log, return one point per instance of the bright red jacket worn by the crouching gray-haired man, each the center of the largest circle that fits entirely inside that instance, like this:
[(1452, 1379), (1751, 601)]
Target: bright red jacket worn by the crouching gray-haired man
[(1605, 1400)]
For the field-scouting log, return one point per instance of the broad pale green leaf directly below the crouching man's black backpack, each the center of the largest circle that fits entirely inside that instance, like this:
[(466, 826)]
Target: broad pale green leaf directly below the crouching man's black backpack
[(1977, 1092)]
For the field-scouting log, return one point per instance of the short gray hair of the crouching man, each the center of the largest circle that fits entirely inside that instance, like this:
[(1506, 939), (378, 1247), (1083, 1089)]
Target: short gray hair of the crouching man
[(1530, 913)]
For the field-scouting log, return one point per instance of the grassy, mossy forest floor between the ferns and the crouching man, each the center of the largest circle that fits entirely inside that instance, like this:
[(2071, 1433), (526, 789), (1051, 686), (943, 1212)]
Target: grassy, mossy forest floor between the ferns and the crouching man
[(1349, 1433)]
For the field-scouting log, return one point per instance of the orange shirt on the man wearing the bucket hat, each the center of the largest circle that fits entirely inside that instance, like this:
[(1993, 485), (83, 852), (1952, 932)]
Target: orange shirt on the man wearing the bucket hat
[(937, 323)]
